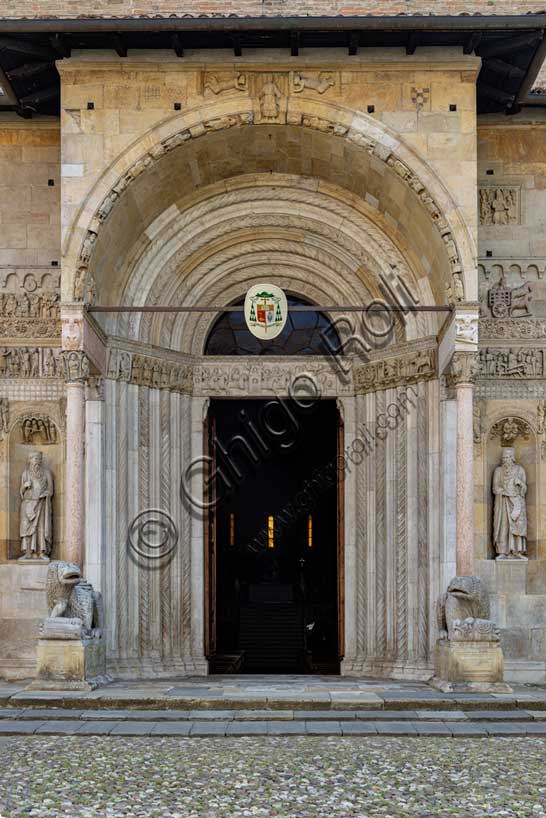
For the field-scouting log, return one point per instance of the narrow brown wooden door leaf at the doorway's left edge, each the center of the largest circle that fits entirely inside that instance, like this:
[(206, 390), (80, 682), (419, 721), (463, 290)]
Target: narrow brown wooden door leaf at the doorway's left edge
[(210, 493)]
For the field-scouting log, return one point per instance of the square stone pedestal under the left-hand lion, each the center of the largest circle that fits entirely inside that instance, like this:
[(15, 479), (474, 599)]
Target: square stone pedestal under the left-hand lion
[(70, 664)]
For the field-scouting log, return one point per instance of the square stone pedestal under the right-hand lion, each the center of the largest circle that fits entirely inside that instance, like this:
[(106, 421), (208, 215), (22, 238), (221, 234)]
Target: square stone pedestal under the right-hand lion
[(469, 667)]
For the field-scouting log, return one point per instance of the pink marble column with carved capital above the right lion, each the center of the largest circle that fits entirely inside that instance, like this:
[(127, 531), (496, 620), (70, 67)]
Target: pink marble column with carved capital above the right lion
[(463, 372)]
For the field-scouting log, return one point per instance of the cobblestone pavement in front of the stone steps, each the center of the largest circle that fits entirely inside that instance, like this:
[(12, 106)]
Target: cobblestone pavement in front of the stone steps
[(311, 777)]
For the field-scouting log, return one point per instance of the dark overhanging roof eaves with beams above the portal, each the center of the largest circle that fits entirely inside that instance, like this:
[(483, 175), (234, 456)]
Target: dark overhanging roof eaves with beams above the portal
[(512, 48)]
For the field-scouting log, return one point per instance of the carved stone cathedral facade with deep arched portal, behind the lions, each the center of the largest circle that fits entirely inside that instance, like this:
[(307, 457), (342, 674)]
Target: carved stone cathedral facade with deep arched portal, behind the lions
[(299, 504)]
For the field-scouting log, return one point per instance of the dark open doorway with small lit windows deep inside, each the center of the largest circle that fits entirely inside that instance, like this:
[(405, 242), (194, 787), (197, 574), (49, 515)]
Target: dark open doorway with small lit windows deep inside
[(274, 558)]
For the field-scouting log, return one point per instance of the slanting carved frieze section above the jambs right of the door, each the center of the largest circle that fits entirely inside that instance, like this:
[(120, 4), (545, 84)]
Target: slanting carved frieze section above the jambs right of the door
[(397, 371)]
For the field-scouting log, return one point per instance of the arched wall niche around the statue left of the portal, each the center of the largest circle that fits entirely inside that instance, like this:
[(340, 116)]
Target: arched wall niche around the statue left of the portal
[(34, 427)]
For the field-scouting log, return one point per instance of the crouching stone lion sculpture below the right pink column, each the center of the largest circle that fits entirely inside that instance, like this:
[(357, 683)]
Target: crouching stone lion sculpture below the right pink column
[(463, 612)]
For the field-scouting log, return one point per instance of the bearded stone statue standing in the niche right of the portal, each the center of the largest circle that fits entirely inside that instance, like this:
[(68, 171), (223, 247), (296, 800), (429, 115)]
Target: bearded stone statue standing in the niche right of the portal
[(510, 511)]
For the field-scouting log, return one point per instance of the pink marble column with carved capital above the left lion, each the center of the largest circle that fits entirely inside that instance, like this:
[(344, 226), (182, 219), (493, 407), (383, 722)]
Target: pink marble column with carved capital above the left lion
[(76, 371)]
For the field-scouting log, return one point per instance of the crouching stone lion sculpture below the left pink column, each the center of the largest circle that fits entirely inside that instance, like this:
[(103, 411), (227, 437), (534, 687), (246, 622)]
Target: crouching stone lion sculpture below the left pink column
[(75, 609)]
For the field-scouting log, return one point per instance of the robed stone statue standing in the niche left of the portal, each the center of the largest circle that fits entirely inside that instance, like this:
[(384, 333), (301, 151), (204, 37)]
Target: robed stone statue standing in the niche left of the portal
[(36, 523)]
